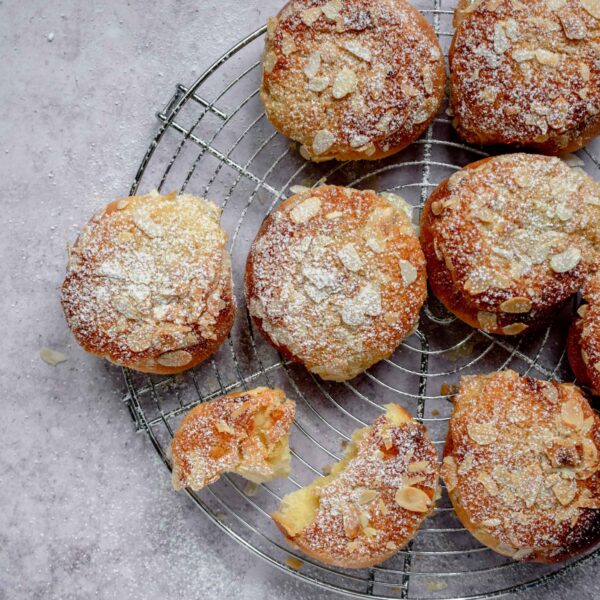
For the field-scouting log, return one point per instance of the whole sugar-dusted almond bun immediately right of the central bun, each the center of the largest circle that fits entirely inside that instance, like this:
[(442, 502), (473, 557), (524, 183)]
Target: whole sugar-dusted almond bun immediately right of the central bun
[(510, 238)]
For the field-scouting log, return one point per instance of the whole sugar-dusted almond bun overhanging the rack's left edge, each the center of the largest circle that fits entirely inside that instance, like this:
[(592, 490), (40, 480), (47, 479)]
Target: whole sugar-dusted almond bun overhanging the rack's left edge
[(148, 283)]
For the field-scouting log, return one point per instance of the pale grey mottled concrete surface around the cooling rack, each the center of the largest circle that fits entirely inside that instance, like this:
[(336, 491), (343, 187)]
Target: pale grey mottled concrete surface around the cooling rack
[(86, 508)]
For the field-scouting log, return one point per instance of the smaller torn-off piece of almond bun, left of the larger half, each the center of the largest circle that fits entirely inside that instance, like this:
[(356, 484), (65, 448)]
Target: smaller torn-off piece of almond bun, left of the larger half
[(244, 433)]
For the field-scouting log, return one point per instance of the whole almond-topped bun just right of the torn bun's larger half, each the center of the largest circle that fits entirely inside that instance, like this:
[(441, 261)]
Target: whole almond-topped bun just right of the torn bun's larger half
[(521, 466)]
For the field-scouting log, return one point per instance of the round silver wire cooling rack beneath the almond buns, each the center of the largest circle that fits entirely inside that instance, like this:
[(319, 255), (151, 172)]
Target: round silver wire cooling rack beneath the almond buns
[(216, 142)]
